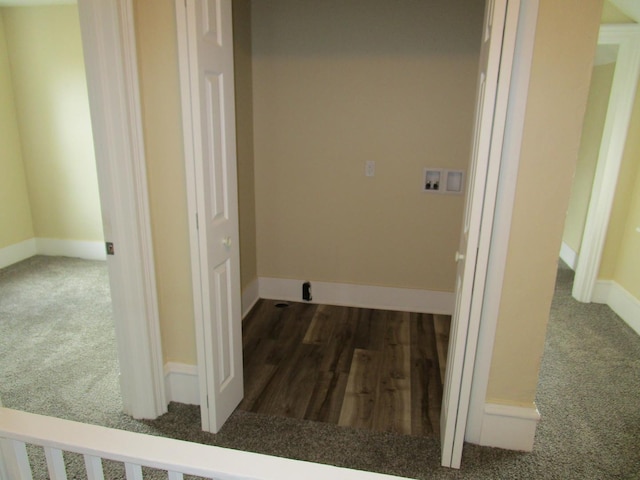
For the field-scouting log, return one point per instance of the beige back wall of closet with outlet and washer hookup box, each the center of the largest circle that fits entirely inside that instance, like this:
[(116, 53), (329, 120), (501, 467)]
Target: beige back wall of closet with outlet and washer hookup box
[(340, 83)]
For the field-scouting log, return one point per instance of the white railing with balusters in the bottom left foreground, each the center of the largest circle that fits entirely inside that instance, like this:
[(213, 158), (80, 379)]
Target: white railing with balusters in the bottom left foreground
[(135, 450)]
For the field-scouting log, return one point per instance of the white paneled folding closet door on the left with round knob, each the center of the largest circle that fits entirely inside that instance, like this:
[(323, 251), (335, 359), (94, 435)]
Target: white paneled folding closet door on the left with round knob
[(215, 244)]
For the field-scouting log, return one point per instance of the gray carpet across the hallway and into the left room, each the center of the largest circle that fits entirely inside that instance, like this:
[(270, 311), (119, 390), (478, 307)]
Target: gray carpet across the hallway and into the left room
[(57, 358)]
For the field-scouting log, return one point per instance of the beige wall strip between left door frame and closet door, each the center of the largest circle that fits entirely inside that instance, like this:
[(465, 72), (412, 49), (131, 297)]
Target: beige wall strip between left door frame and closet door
[(162, 120)]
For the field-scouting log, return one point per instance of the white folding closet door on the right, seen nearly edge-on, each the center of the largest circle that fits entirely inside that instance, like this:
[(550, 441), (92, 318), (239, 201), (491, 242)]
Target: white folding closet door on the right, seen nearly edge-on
[(453, 419)]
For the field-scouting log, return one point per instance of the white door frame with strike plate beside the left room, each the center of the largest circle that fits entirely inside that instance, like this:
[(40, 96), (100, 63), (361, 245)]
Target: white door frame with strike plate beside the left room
[(108, 39)]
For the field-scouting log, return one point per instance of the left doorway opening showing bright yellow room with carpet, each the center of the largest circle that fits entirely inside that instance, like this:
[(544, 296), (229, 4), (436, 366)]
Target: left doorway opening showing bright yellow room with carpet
[(56, 308)]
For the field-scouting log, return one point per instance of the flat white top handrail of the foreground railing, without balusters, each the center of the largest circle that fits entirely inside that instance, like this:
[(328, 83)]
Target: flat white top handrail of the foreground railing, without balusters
[(164, 453)]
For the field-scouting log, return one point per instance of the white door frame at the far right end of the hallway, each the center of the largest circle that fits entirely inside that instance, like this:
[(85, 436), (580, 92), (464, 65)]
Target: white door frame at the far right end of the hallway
[(614, 137)]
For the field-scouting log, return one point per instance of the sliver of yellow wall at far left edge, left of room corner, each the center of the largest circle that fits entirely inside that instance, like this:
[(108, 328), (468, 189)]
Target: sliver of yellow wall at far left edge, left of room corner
[(15, 212)]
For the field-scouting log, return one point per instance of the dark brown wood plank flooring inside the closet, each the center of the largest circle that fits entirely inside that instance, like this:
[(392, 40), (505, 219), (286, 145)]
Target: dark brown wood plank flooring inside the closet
[(372, 369)]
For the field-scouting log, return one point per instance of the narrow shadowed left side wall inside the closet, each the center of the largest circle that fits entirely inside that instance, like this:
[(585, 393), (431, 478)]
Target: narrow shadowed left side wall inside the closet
[(244, 136)]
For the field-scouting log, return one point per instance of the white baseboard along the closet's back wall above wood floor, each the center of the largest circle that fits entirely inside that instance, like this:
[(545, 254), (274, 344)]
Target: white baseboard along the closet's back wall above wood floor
[(362, 296)]
